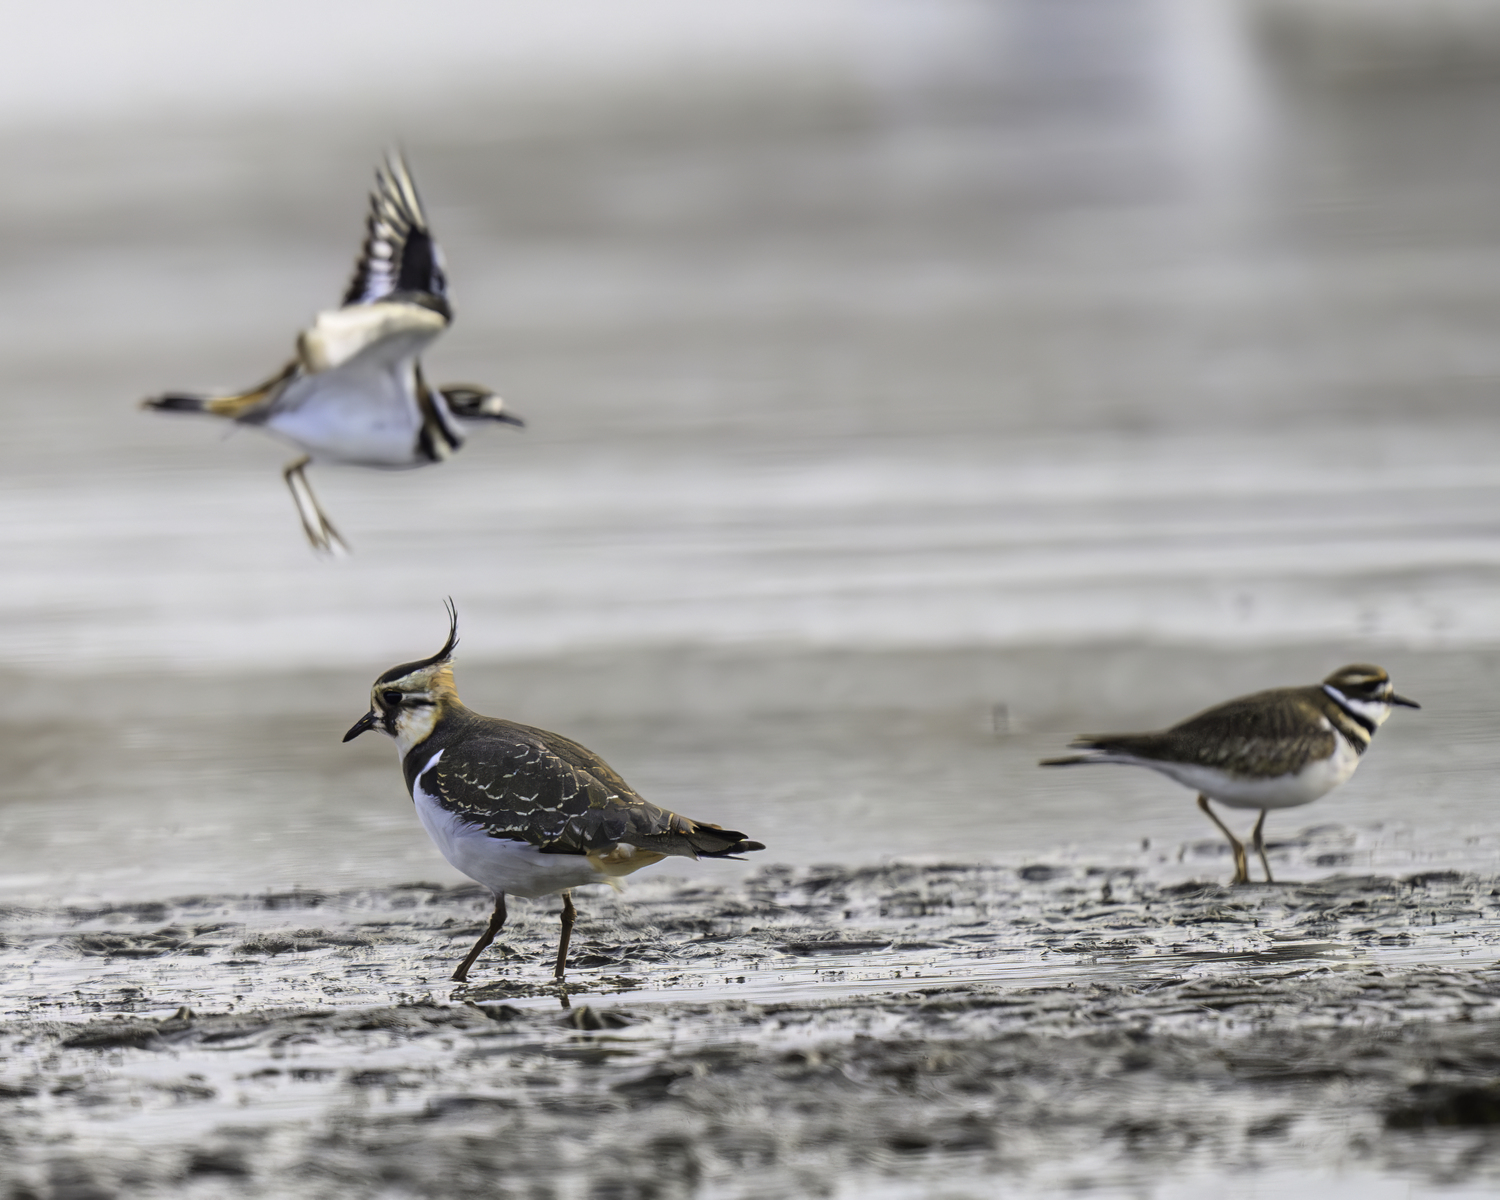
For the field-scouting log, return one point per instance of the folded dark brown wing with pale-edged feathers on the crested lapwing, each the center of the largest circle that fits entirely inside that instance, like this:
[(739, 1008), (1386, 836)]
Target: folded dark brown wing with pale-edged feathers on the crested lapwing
[(529, 785)]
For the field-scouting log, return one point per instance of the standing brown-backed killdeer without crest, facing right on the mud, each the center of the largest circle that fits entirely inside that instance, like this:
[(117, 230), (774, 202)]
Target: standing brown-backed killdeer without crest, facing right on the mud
[(1276, 749)]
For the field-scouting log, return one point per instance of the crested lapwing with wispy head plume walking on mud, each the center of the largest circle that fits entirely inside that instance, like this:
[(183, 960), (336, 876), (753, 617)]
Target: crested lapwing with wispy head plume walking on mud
[(521, 811)]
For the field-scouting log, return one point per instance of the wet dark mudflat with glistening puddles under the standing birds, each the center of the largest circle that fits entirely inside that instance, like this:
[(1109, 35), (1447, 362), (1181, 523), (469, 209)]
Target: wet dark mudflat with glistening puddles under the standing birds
[(908, 1030)]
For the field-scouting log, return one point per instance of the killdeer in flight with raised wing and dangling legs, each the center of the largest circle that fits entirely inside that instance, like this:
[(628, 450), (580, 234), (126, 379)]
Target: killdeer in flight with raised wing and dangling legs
[(356, 394)]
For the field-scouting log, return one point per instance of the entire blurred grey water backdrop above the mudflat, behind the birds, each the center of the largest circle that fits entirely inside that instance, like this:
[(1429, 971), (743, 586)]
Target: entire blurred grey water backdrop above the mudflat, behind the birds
[(910, 385)]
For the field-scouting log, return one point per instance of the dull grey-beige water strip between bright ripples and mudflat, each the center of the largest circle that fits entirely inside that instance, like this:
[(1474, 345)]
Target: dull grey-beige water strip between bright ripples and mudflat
[(191, 784)]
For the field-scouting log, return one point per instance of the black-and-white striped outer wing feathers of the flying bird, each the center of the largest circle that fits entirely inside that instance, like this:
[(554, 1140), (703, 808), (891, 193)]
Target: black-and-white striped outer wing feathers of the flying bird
[(400, 257)]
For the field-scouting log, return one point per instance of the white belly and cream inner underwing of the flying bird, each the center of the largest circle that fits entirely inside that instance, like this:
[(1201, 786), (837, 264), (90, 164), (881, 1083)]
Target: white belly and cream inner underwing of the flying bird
[(355, 398)]
